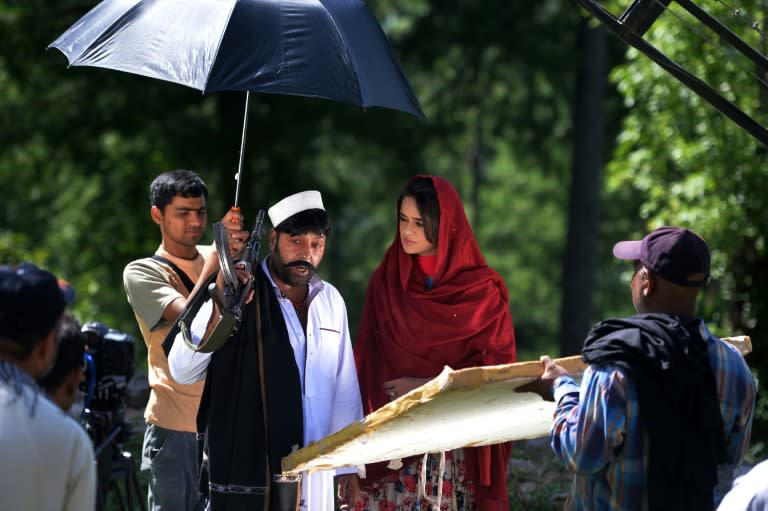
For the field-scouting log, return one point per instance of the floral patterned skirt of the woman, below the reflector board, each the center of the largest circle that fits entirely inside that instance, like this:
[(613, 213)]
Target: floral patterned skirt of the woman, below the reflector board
[(400, 490)]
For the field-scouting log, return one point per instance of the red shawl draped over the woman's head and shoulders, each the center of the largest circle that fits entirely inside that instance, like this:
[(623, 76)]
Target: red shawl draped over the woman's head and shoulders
[(463, 321)]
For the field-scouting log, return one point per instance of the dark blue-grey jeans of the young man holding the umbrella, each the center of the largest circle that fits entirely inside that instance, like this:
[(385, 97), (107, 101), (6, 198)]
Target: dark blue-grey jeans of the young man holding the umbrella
[(171, 458)]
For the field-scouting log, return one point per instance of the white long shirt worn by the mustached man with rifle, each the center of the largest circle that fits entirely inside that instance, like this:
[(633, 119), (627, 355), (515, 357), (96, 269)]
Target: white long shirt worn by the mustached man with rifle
[(331, 394)]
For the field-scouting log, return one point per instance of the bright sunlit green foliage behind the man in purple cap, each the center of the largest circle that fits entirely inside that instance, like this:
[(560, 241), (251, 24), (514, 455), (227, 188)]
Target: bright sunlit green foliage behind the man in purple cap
[(692, 166)]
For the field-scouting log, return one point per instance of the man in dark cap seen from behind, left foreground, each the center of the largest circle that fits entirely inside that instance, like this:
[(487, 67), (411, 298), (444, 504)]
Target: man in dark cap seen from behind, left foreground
[(47, 459)]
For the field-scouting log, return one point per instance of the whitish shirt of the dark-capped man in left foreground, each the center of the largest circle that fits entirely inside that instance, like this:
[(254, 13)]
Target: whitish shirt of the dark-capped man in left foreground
[(47, 460)]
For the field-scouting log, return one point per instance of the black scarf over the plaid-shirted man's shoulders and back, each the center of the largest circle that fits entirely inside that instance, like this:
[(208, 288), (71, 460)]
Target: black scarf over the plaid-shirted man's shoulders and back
[(666, 359)]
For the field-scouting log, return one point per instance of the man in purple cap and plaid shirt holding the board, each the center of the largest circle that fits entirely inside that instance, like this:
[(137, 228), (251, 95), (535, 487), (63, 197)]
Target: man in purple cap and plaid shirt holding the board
[(664, 410)]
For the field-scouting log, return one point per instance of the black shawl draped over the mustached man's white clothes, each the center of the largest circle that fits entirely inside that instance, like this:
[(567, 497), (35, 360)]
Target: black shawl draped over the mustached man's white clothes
[(231, 407)]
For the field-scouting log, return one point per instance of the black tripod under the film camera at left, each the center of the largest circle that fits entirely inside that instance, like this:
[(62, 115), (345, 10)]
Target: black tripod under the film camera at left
[(117, 472)]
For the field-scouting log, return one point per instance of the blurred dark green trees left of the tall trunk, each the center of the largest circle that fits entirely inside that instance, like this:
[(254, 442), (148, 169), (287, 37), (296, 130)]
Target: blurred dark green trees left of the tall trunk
[(77, 164)]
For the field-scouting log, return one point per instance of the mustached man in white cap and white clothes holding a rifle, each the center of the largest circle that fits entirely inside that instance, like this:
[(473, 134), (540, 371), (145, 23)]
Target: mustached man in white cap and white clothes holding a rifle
[(299, 323)]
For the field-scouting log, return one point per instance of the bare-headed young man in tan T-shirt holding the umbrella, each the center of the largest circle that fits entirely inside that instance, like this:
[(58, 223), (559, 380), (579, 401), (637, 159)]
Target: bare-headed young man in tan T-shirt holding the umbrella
[(157, 289)]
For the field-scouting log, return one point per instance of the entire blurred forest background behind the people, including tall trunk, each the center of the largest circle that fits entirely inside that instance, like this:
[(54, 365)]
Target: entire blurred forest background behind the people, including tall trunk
[(560, 140)]
